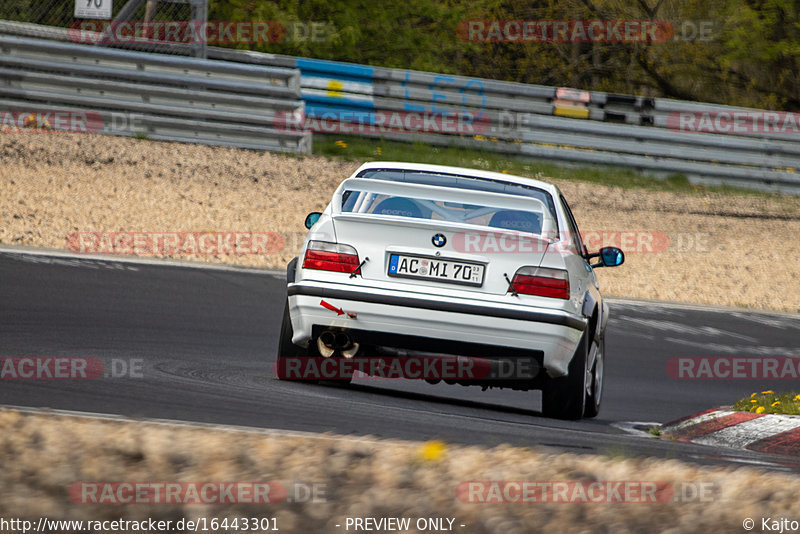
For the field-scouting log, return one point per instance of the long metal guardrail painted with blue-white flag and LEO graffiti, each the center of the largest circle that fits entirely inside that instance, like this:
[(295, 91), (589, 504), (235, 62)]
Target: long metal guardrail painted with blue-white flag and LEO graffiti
[(556, 124)]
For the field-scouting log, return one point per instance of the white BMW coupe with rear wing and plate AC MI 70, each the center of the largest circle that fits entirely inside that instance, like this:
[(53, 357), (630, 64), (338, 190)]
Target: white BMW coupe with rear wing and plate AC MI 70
[(453, 274)]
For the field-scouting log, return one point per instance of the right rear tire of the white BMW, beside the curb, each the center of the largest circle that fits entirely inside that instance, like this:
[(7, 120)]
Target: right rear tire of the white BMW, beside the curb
[(565, 397)]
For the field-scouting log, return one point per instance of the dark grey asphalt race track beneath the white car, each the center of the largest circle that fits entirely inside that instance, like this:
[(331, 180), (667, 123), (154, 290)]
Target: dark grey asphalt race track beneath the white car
[(206, 340)]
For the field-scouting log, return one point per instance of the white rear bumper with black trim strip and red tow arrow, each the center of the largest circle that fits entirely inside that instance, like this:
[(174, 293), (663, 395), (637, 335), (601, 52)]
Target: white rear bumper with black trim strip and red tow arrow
[(459, 321)]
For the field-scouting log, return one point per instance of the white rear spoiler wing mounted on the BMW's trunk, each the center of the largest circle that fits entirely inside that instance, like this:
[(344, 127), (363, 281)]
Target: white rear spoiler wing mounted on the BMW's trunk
[(443, 194)]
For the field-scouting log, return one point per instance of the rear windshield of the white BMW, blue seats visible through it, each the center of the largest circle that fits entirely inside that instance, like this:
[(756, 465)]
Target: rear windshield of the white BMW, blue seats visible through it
[(422, 208)]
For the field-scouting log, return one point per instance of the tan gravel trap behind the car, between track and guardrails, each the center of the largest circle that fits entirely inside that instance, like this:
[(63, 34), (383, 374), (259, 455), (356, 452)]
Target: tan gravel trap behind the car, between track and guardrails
[(723, 248)]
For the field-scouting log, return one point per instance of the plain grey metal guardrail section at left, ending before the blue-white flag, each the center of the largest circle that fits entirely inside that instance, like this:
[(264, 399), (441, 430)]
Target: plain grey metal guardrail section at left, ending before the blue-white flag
[(158, 96)]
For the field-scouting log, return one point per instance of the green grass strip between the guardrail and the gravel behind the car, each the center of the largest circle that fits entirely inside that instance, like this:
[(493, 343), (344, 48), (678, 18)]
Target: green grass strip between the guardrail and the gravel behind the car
[(351, 148)]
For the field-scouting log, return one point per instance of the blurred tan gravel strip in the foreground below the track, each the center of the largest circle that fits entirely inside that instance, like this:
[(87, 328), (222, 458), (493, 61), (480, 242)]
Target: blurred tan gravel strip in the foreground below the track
[(43, 455)]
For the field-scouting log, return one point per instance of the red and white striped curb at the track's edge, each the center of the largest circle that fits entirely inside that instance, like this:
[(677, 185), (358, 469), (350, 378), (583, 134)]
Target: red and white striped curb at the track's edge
[(775, 434)]
